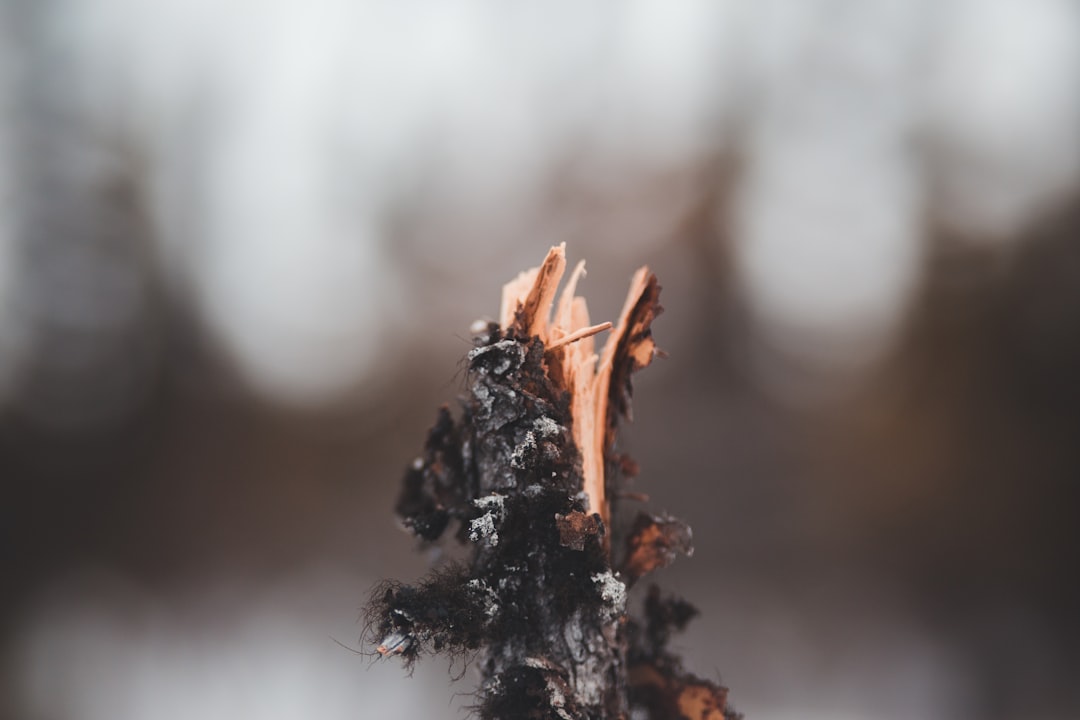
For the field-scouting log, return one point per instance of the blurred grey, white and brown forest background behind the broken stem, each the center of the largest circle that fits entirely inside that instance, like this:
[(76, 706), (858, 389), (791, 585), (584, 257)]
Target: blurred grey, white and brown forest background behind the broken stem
[(241, 244)]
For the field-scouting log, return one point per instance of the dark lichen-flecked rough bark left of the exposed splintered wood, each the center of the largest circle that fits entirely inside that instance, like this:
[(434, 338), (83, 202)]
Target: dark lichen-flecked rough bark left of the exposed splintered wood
[(545, 610)]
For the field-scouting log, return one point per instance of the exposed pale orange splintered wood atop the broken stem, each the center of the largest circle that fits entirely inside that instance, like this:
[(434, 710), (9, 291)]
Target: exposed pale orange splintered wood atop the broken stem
[(528, 304)]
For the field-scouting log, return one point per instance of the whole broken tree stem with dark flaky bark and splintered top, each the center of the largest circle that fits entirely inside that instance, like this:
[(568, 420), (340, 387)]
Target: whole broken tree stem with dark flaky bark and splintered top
[(528, 476)]
